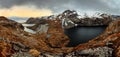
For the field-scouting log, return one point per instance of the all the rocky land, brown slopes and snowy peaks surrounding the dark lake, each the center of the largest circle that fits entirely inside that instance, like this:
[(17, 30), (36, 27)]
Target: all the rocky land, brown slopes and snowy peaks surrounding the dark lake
[(50, 40)]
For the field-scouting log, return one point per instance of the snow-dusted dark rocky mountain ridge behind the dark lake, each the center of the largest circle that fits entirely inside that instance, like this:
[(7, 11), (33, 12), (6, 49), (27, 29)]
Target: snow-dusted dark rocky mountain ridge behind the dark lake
[(70, 18)]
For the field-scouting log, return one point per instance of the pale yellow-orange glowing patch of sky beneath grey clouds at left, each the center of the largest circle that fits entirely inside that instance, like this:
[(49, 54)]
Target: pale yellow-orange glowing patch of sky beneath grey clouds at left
[(24, 11)]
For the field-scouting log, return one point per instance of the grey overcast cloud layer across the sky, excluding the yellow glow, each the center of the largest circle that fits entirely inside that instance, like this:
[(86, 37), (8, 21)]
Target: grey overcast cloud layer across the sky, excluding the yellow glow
[(57, 6)]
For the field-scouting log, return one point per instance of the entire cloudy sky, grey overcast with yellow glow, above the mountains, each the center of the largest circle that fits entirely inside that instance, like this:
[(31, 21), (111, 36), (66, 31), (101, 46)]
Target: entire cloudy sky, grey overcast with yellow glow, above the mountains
[(36, 8)]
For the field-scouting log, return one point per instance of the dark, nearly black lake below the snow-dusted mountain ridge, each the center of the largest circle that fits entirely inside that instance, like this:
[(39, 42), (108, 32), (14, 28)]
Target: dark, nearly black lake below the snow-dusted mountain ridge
[(80, 35)]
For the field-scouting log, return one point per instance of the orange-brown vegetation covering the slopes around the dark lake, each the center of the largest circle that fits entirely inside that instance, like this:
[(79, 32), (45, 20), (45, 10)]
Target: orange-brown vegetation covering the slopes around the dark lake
[(14, 37)]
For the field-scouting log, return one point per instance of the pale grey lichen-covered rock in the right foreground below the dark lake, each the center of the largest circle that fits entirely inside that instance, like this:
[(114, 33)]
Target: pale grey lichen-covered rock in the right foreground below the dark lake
[(92, 52)]
